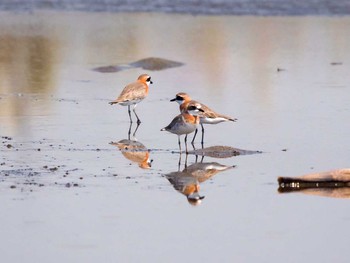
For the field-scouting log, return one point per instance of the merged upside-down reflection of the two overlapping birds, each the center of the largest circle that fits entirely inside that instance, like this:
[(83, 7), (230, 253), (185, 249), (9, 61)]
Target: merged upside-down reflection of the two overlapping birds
[(188, 181)]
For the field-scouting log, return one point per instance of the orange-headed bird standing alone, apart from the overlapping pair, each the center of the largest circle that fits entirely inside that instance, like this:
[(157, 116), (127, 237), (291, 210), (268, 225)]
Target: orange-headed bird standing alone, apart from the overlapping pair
[(133, 93)]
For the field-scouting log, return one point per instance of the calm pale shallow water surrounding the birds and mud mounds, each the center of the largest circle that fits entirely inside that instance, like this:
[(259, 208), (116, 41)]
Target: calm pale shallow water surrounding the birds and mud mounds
[(69, 195)]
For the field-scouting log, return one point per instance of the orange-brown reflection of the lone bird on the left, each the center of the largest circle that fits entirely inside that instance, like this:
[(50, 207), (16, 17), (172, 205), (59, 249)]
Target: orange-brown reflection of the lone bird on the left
[(135, 152)]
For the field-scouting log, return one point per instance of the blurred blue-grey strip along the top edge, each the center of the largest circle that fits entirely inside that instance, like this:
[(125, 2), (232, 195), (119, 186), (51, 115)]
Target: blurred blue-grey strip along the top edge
[(204, 7)]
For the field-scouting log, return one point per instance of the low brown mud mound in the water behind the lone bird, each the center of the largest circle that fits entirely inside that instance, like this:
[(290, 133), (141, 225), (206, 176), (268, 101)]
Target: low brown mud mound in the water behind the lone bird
[(151, 63)]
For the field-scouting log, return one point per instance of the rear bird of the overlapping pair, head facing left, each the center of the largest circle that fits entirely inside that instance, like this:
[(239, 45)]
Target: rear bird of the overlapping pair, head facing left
[(207, 116)]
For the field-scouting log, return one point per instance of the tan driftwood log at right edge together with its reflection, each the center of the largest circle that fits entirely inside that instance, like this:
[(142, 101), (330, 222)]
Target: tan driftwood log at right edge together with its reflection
[(334, 184)]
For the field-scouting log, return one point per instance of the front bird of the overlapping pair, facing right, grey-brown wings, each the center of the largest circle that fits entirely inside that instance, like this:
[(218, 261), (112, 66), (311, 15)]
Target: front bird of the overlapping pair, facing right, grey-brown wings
[(185, 123)]
